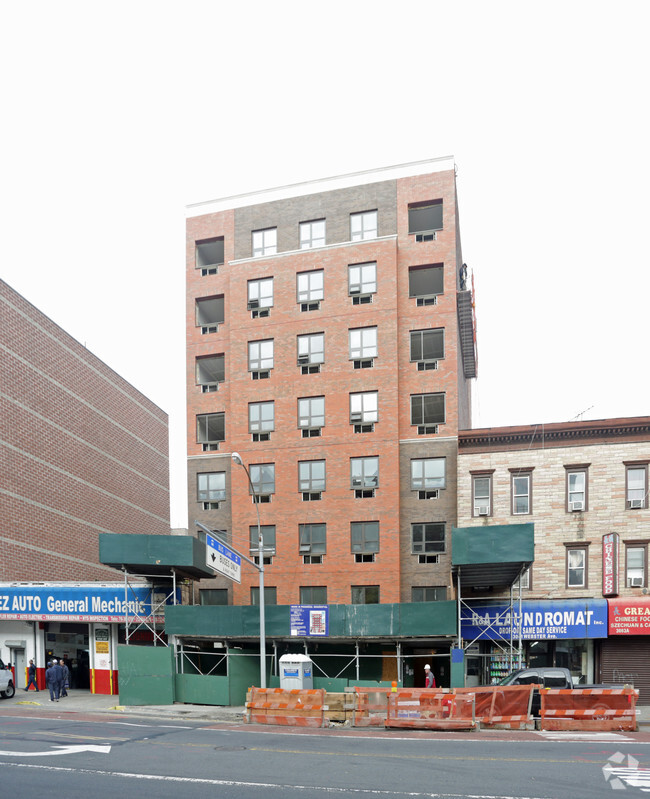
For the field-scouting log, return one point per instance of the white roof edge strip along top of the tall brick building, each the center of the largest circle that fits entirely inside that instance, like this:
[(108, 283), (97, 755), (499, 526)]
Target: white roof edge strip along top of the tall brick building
[(322, 184)]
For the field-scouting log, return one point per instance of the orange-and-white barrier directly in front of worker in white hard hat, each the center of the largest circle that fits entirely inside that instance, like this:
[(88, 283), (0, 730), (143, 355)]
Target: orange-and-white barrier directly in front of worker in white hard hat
[(431, 708)]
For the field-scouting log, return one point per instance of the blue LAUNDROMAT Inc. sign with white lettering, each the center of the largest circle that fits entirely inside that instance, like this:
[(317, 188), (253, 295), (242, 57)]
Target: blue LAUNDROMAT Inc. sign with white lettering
[(541, 620)]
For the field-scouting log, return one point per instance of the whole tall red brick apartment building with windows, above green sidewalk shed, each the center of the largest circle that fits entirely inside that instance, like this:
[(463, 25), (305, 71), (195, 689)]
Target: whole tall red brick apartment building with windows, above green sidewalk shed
[(330, 342)]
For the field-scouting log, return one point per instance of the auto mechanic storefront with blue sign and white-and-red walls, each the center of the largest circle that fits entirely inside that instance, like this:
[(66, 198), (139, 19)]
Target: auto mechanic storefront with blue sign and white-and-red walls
[(79, 623)]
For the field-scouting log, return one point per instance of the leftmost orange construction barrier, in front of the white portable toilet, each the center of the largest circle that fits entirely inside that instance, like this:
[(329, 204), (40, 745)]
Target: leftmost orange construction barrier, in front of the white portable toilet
[(298, 707)]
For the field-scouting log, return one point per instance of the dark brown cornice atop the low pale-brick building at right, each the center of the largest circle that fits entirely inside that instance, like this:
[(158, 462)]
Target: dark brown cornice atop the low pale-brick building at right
[(558, 434)]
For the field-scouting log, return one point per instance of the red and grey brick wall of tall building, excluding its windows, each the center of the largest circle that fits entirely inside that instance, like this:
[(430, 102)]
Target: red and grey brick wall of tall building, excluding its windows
[(394, 439)]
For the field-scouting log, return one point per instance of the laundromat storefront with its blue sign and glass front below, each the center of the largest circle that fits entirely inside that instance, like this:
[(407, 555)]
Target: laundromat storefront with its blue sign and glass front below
[(552, 633)]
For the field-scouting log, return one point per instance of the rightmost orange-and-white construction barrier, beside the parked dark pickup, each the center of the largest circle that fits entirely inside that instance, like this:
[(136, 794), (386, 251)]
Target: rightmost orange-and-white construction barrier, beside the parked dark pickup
[(588, 709)]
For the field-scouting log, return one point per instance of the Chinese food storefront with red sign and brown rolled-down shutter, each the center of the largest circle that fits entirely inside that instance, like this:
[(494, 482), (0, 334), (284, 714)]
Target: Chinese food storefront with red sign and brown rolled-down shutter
[(625, 655)]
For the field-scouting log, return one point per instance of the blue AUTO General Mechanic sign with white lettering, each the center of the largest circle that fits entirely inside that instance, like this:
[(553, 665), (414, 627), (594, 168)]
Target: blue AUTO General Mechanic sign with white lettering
[(73, 603)]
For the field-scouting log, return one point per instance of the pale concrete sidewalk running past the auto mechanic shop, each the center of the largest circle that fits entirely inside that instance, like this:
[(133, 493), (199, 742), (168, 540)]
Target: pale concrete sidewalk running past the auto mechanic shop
[(85, 702)]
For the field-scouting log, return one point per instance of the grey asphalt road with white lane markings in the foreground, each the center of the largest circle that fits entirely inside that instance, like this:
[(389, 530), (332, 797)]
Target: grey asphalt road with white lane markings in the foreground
[(96, 758)]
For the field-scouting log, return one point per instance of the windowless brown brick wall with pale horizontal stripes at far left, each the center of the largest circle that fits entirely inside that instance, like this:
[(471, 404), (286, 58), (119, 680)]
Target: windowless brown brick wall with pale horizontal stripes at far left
[(82, 452)]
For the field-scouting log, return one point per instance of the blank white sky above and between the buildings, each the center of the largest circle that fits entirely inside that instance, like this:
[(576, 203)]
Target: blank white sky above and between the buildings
[(115, 116)]
